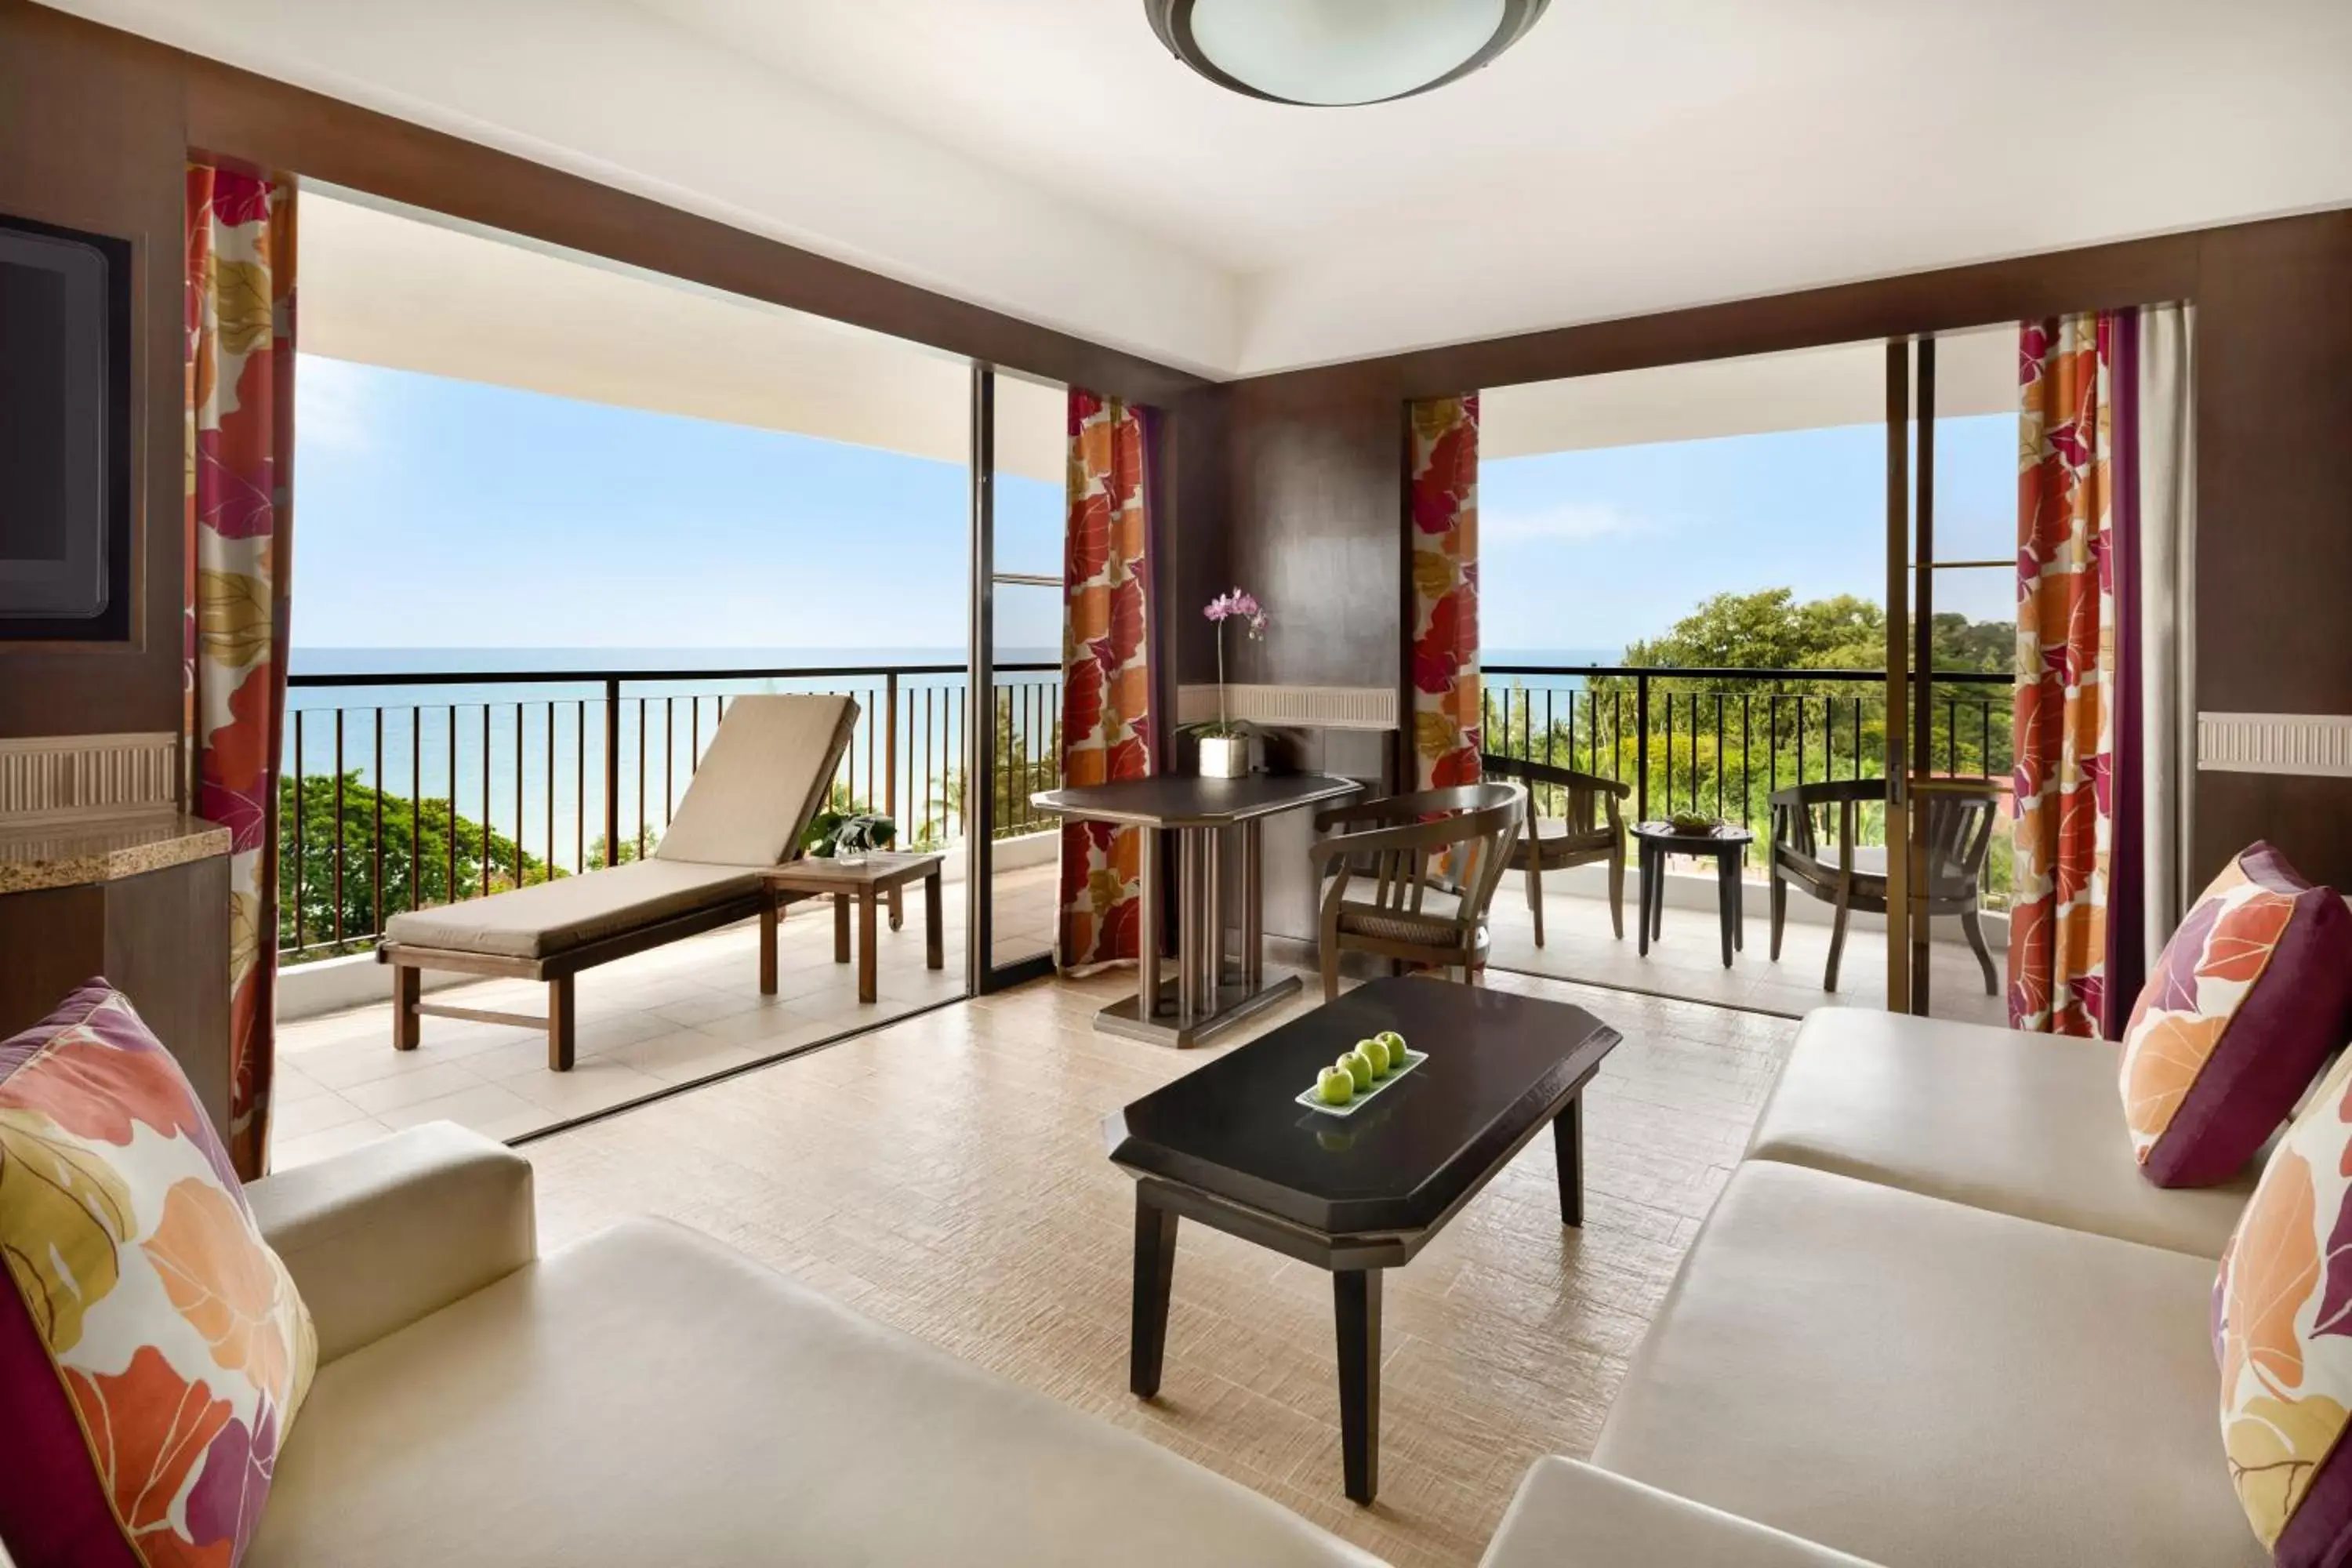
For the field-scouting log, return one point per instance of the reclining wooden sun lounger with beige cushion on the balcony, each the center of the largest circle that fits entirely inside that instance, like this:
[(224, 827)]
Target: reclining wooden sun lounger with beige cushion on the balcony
[(751, 798)]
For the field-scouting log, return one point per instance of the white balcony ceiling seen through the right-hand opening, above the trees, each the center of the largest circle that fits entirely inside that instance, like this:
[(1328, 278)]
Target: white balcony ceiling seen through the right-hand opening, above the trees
[(1977, 373)]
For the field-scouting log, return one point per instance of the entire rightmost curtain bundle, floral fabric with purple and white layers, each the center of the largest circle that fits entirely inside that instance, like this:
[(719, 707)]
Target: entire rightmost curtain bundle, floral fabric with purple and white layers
[(2104, 725)]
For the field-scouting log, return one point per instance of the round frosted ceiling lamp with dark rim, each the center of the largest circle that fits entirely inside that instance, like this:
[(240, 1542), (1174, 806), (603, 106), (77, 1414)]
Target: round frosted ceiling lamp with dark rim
[(1332, 53)]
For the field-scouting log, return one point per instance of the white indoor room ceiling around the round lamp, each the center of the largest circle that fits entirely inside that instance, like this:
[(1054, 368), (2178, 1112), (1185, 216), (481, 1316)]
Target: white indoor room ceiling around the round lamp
[(1048, 159)]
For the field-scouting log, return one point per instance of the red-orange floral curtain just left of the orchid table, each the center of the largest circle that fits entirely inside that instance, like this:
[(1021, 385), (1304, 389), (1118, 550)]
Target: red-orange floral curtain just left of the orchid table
[(1107, 692)]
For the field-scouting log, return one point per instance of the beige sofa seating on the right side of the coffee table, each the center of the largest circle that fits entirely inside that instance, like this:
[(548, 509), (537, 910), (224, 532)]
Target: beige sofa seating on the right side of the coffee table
[(1935, 1320)]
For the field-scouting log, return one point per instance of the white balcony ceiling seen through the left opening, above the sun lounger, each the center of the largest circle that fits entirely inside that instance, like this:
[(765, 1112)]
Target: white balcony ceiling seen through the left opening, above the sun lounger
[(392, 290)]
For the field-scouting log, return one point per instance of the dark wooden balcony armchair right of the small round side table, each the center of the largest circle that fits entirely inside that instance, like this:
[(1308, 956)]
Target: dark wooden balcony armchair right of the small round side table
[(1958, 840)]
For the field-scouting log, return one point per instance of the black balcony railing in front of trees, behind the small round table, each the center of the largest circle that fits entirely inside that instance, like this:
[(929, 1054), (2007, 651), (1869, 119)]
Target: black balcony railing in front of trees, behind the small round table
[(1720, 742)]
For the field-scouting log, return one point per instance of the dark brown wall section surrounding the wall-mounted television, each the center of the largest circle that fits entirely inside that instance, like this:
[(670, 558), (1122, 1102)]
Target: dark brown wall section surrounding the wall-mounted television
[(91, 126)]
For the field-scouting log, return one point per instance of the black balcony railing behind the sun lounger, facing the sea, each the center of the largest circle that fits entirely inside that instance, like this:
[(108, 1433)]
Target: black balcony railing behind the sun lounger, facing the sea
[(422, 789)]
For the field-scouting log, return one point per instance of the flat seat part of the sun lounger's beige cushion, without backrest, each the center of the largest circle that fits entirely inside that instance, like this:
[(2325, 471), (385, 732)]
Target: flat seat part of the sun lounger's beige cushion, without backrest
[(549, 918)]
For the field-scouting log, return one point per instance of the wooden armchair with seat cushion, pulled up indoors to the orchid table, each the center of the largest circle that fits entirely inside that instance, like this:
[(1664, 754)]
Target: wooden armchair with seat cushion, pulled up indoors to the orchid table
[(1434, 862)]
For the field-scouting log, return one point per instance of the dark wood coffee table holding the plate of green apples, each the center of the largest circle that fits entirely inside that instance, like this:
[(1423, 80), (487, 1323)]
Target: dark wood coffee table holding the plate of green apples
[(1229, 1146)]
